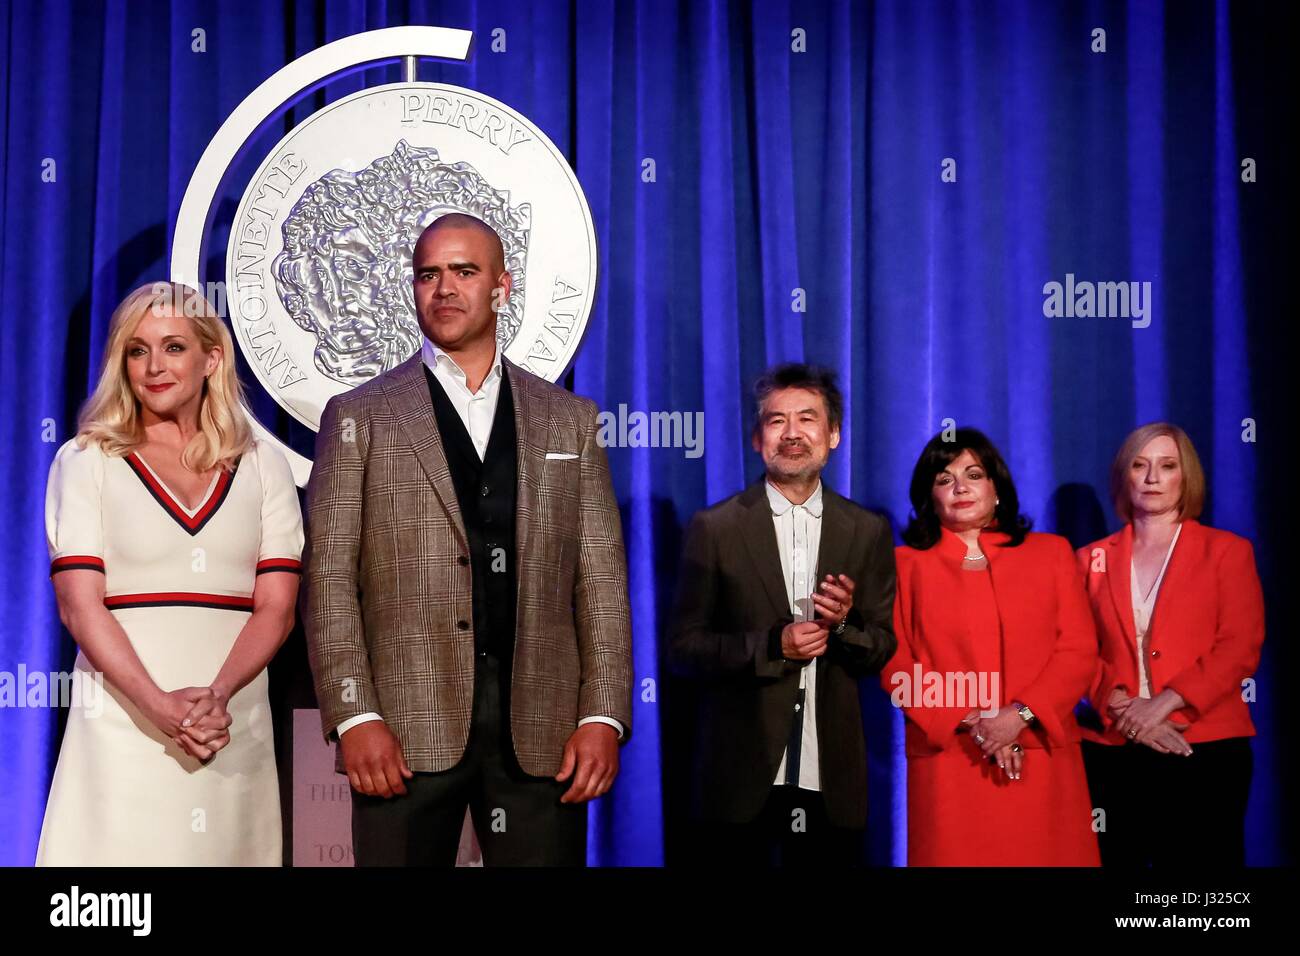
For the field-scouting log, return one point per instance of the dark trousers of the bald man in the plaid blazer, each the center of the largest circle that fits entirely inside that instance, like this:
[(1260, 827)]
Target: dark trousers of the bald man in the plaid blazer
[(518, 819)]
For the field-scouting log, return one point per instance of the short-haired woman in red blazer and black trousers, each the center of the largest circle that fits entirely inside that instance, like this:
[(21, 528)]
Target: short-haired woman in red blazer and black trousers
[(1181, 617)]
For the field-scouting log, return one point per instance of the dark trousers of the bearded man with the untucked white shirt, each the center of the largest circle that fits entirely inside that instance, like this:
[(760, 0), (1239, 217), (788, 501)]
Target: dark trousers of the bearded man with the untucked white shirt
[(791, 832)]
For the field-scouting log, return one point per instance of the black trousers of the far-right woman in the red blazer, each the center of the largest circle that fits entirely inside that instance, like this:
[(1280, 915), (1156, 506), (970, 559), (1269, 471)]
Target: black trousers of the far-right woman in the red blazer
[(1169, 811)]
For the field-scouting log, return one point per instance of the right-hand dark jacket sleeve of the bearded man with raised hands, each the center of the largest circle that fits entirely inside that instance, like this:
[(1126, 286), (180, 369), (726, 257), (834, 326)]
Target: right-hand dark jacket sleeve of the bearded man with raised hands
[(869, 639)]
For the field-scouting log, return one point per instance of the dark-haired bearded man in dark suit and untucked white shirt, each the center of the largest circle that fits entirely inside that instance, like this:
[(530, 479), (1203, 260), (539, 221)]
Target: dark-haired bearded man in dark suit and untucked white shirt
[(786, 602)]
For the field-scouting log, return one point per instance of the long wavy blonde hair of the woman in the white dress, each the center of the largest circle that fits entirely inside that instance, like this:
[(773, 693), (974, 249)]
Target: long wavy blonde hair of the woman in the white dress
[(112, 416)]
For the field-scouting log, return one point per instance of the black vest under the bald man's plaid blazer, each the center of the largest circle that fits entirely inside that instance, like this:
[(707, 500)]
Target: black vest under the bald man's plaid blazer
[(486, 491)]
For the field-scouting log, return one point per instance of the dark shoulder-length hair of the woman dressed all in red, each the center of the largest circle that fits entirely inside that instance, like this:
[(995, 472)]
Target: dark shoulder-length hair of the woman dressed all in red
[(922, 530)]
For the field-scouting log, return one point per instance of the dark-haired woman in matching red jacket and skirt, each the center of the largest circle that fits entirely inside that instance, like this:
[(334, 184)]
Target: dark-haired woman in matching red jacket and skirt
[(996, 646)]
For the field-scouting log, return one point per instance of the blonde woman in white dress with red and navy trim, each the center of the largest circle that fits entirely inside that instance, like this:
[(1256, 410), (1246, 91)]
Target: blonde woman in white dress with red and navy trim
[(175, 542)]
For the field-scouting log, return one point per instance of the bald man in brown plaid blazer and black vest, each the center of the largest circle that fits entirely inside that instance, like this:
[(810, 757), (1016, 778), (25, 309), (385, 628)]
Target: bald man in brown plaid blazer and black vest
[(466, 605)]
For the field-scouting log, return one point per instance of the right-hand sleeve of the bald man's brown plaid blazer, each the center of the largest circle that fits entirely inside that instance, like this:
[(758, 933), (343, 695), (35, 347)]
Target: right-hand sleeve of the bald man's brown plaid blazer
[(603, 615)]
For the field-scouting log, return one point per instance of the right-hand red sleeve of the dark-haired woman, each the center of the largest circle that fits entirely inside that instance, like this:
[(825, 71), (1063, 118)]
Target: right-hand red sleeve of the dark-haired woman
[(1072, 668)]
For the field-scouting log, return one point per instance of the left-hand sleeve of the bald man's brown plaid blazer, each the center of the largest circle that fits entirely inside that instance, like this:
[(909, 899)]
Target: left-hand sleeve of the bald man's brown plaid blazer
[(336, 638)]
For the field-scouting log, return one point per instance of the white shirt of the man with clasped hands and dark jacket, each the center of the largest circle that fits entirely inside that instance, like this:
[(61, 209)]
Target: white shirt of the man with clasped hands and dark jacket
[(799, 537)]
